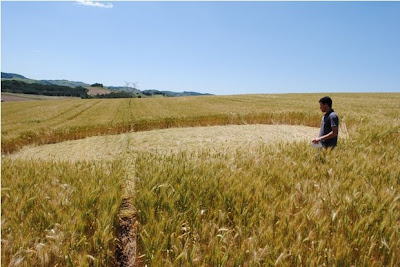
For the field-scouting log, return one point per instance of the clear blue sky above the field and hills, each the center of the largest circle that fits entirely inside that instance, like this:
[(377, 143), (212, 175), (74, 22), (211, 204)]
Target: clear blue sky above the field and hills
[(209, 47)]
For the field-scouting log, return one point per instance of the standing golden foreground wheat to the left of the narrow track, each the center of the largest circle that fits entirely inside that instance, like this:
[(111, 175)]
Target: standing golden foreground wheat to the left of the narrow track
[(56, 213)]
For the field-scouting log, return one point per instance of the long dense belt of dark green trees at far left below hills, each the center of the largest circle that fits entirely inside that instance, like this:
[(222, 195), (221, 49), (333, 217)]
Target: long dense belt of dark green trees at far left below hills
[(19, 87)]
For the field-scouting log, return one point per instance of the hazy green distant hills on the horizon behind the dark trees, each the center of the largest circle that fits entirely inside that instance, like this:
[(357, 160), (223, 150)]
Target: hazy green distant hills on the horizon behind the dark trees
[(105, 90)]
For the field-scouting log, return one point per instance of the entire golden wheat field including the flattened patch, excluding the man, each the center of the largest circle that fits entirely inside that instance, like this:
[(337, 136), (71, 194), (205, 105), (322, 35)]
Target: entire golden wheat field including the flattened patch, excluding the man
[(200, 199)]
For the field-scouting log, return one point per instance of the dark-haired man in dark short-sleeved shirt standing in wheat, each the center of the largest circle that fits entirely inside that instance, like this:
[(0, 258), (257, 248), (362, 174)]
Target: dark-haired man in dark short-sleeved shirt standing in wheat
[(329, 126)]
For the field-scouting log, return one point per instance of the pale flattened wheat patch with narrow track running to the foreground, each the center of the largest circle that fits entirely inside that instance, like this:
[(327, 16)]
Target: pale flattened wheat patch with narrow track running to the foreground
[(126, 146)]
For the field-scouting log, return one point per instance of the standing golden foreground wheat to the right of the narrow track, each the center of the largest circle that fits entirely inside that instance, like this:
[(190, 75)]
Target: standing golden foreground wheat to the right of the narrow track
[(273, 205)]
